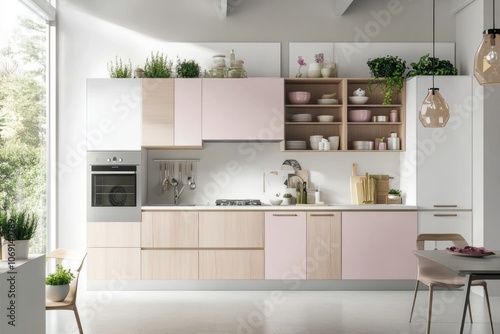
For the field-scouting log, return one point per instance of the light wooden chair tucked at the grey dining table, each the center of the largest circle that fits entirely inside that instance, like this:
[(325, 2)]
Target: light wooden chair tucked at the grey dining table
[(432, 274)]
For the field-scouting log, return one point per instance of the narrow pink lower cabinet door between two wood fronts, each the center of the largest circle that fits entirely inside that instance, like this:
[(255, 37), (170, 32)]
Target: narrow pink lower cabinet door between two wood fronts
[(285, 245)]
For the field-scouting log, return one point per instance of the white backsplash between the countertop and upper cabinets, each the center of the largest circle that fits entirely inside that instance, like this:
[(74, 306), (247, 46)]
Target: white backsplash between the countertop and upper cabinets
[(236, 170)]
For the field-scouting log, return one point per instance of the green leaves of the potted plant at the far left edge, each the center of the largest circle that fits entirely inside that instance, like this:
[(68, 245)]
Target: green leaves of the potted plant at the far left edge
[(23, 227)]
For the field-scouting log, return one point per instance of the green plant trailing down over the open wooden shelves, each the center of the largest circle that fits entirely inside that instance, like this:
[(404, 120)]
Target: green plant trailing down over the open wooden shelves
[(388, 73)]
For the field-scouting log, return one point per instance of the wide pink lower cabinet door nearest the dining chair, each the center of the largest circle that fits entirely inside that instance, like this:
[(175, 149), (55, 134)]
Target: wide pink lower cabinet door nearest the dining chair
[(379, 245)]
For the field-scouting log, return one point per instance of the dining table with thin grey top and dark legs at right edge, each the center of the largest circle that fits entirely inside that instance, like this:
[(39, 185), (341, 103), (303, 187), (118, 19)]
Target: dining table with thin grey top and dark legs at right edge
[(471, 266)]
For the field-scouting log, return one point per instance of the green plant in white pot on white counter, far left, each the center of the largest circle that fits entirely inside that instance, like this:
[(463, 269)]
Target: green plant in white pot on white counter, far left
[(16, 230)]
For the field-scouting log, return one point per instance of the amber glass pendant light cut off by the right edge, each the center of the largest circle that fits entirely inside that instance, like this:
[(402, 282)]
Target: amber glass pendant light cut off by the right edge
[(487, 59)]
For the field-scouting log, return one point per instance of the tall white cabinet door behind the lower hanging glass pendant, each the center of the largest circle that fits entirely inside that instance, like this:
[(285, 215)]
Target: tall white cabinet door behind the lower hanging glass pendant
[(443, 155)]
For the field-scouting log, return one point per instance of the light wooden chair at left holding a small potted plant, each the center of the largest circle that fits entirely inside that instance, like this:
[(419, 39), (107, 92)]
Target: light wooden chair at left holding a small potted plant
[(77, 257)]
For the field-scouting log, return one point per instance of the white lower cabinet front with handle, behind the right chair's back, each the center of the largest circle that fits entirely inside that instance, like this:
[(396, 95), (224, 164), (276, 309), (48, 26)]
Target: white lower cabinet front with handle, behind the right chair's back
[(445, 222)]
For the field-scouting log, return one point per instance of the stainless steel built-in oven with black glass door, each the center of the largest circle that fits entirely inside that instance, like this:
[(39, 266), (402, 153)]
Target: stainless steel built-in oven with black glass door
[(114, 190)]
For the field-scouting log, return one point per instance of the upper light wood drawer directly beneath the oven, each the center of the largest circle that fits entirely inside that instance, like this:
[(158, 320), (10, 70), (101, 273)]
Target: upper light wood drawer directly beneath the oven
[(126, 234)]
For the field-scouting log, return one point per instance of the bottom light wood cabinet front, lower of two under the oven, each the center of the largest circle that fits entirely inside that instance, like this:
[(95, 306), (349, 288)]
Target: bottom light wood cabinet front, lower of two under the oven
[(114, 263)]
